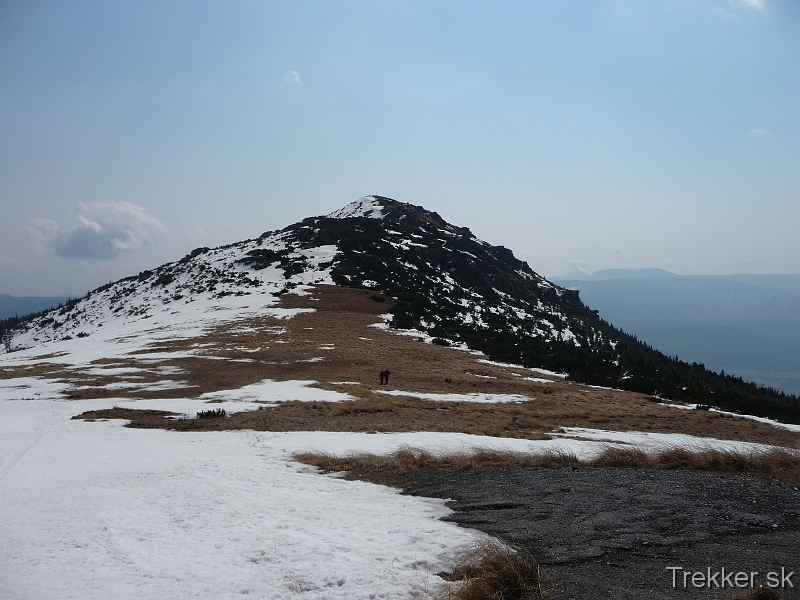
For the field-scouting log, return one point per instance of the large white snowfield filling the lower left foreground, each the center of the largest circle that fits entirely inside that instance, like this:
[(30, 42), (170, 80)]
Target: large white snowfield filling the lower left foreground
[(95, 511)]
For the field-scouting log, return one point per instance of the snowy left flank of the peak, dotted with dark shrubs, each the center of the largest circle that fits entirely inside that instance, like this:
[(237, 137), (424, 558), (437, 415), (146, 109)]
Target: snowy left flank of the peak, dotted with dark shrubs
[(191, 290)]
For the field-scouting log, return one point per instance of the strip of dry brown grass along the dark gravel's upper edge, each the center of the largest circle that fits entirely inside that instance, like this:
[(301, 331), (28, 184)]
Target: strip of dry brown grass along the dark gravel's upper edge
[(399, 469)]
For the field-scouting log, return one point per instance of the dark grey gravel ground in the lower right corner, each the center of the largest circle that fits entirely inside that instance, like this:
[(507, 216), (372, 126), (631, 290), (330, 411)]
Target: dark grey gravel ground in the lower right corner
[(613, 533)]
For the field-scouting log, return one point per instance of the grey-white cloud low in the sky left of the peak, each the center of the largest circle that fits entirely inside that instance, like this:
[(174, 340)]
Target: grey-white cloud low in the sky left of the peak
[(103, 231)]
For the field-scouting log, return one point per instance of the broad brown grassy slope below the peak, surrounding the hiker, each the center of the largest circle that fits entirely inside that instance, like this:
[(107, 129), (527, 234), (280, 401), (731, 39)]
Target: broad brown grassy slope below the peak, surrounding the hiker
[(269, 348)]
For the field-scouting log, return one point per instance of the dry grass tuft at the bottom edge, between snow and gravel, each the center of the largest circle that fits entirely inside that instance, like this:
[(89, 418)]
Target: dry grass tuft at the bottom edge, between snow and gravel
[(489, 571)]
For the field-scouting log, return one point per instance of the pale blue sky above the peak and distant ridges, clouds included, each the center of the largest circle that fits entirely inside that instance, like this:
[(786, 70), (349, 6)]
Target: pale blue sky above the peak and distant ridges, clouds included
[(583, 135)]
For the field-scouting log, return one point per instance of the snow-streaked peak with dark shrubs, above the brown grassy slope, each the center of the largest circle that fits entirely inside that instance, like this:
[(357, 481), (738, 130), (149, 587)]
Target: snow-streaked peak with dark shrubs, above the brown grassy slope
[(436, 277)]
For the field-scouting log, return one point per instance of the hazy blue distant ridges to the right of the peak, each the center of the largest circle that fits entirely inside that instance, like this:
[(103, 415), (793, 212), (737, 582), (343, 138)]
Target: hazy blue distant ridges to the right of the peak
[(743, 324)]
